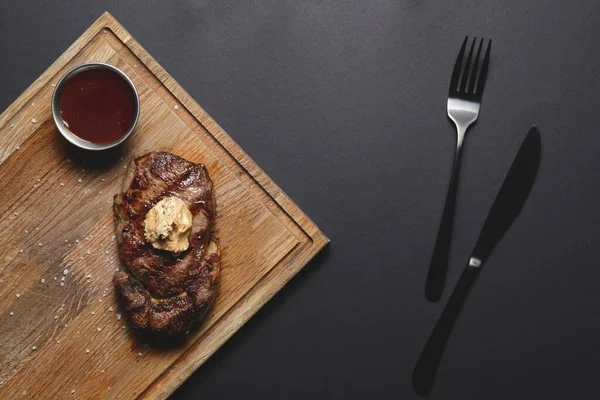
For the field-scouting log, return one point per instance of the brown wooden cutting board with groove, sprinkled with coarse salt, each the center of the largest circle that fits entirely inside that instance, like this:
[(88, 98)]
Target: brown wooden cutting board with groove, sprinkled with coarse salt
[(61, 335)]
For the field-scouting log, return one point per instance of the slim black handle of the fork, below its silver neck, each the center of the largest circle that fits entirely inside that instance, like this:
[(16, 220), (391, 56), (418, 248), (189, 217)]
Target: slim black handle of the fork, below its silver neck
[(436, 275)]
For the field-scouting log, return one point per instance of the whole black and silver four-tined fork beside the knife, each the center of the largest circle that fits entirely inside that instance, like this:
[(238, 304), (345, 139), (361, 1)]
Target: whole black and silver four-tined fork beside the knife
[(464, 101)]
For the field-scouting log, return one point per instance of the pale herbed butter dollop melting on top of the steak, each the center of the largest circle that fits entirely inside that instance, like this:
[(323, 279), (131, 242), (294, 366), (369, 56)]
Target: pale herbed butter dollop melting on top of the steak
[(168, 225)]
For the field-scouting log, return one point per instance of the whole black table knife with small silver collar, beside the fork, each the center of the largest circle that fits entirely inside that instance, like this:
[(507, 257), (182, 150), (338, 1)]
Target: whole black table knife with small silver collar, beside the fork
[(507, 205)]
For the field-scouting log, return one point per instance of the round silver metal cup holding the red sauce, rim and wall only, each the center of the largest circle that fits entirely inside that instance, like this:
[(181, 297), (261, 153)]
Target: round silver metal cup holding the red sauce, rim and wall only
[(60, 123)]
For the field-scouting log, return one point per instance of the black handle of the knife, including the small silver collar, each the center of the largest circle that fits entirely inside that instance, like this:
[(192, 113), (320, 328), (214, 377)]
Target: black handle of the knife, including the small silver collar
[(429, 360)]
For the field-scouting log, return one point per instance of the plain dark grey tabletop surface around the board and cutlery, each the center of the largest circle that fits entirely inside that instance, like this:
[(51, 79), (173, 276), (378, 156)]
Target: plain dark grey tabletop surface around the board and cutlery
[(343, 104)]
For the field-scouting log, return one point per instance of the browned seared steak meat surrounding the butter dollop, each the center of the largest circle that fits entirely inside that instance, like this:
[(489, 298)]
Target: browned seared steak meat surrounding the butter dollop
[(166, 293)]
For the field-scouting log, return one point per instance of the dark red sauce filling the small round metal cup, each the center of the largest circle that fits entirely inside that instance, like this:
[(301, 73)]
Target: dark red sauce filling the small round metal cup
[(97, 105)]
